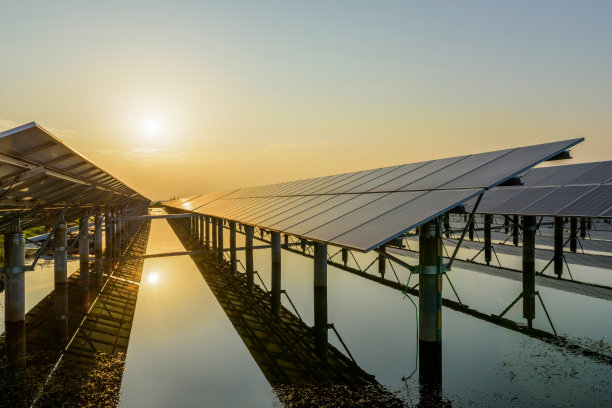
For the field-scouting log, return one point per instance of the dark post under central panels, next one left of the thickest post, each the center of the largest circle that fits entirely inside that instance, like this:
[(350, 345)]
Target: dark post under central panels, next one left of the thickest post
[(320, 300)]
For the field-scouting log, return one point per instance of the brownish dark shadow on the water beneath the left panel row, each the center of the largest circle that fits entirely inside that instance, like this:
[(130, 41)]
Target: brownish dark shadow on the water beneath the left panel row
[(79, 362)]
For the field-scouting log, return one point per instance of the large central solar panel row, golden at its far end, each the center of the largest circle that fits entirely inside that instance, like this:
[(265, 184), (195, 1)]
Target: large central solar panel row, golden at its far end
[(365, 209)]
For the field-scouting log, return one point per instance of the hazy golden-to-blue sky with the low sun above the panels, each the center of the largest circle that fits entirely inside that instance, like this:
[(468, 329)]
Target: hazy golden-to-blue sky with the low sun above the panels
[(178, 98)]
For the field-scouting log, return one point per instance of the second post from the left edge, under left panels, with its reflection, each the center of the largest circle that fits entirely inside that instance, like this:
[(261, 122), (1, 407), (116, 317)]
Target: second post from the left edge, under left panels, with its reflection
[(60, 294)]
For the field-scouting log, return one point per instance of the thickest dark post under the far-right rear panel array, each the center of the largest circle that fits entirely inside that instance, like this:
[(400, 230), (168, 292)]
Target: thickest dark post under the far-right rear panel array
[(529, 234)]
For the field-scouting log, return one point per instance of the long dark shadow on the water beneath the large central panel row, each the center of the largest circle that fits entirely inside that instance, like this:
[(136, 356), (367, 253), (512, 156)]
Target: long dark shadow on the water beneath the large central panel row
[(284, 347)]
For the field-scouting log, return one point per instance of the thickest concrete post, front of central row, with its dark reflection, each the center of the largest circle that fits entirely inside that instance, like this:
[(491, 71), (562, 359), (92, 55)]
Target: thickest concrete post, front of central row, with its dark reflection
[(430, 306)]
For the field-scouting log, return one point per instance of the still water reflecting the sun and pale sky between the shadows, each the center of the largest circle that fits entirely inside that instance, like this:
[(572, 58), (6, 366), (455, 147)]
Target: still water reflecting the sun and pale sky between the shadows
[(185, 352)]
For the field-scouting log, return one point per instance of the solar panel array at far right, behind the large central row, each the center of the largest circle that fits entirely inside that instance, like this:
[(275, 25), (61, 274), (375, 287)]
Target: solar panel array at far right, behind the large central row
[(575, 190)]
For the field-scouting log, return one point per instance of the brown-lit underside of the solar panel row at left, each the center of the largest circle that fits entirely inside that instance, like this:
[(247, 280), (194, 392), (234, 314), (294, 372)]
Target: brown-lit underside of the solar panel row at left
[(39, 175)]
